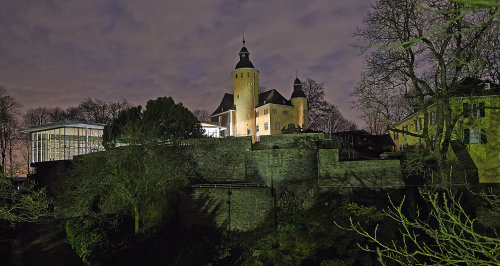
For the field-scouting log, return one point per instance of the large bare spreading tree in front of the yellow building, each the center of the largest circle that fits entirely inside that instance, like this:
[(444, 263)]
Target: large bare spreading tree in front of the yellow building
[(423, 49)]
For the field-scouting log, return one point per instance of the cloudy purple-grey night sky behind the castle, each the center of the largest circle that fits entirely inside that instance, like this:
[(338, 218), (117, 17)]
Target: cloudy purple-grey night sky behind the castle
[(57, 52)]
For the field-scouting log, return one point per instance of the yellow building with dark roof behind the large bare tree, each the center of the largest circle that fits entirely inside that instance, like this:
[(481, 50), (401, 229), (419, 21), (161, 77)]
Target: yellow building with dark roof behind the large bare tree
[(475, 140)]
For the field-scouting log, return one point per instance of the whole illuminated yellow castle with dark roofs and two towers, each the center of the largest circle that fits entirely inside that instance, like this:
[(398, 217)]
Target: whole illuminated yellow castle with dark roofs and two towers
[(247, 112)]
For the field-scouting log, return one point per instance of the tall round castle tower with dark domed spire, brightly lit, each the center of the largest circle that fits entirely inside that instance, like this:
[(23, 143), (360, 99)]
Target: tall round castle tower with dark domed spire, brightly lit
[(246, 94)]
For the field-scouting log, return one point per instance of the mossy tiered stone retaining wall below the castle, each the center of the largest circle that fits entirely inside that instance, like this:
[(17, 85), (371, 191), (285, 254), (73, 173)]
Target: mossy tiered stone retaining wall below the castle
[(287, 161)]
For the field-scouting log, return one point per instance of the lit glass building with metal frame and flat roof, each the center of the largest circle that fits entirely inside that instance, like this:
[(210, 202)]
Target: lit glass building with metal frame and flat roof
[(64, 140)]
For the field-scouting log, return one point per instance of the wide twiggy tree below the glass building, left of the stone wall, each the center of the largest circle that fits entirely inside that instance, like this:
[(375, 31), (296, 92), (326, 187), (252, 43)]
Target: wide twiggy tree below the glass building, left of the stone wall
[(139, 181)]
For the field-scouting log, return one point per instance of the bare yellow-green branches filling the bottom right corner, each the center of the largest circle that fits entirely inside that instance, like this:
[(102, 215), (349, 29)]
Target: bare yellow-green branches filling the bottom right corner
[(448, 235)]
